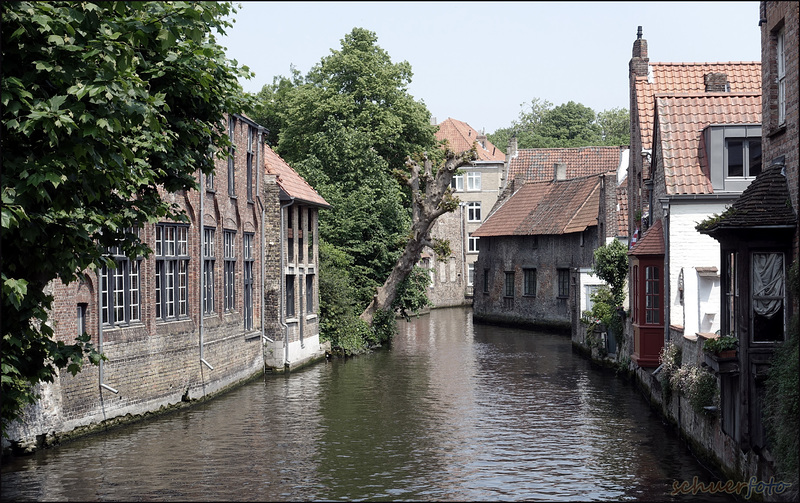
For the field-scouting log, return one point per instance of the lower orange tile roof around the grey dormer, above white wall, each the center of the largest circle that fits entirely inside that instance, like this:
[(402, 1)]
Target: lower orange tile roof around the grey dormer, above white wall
[(681, 120)]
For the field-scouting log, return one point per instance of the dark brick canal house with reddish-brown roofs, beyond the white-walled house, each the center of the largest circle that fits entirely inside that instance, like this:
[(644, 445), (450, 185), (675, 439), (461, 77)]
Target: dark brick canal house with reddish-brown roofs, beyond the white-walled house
[(540, 238)]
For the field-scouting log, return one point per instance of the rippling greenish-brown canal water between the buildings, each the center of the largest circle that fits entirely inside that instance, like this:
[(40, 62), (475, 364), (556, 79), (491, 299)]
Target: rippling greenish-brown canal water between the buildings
[(451, 412)]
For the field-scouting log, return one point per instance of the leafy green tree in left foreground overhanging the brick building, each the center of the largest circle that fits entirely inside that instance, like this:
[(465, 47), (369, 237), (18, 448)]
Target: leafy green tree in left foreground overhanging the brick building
[(104, 104)]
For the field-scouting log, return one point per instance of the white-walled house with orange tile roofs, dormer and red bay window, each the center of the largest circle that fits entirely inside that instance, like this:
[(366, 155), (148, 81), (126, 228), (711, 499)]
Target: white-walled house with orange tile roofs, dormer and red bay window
[(695, 143)]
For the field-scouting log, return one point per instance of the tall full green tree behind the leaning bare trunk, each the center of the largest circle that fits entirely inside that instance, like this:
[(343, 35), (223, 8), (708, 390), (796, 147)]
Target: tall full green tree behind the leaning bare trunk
[(347, 127)]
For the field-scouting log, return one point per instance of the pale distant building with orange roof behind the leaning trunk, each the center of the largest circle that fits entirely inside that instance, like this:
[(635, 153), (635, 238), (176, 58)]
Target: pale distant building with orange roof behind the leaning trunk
[(477, 187)]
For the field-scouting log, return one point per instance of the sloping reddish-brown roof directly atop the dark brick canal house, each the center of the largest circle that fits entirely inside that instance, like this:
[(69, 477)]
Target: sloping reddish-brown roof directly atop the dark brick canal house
[(551, 207)]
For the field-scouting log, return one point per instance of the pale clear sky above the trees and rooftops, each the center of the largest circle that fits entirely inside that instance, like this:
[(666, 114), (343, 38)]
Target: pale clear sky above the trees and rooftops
[(479, 61)]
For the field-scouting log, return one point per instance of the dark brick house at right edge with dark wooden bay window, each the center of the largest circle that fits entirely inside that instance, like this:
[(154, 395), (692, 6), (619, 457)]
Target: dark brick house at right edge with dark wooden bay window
[(758, 238)]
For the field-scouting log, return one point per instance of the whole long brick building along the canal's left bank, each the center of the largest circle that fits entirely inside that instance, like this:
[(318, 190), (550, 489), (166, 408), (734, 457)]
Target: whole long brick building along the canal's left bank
[(200, 314)]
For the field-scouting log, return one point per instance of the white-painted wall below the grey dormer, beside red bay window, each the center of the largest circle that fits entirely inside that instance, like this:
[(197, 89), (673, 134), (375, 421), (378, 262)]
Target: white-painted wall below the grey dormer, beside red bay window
[(688, 249)]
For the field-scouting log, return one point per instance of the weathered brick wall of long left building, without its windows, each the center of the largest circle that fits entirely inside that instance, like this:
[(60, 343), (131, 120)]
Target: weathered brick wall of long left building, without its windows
[(155, 363)]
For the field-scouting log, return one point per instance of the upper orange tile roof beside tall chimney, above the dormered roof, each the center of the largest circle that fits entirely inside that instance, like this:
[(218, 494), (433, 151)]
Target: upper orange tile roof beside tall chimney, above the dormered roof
[(682, 78)]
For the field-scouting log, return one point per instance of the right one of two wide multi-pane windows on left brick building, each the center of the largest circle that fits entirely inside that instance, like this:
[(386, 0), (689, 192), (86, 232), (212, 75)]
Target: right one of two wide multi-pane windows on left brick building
[(172, 264)]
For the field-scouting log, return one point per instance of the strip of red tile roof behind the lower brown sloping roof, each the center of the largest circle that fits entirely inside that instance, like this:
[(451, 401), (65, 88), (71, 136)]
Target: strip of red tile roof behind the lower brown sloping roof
[(537, 164)]
